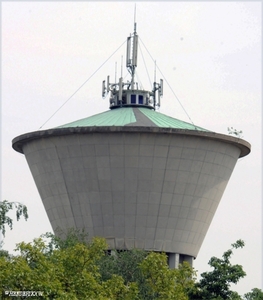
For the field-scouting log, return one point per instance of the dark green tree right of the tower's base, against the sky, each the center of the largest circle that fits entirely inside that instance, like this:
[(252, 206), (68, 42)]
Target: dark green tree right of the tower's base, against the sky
[(215, 285)]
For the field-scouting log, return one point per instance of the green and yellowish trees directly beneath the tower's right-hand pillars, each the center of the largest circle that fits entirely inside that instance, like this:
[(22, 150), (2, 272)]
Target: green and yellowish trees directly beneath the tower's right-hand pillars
[(150, 272)]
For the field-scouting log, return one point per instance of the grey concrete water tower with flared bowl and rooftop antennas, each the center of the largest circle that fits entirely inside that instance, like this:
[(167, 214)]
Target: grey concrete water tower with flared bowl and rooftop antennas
[(133, 175)]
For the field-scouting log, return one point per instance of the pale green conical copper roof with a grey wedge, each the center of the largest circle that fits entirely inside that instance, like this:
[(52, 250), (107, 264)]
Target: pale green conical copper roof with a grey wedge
[(132, 116)]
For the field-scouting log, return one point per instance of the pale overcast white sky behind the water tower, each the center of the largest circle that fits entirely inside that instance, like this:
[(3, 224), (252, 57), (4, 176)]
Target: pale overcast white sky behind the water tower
[(209, 53)]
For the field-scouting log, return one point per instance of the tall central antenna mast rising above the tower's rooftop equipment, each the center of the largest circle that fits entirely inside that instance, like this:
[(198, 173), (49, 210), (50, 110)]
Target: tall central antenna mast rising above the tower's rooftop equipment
[(132, 53)]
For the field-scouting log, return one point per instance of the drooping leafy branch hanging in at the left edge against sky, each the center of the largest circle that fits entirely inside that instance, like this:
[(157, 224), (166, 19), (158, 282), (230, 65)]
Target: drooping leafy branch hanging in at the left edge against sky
[(5, 207)]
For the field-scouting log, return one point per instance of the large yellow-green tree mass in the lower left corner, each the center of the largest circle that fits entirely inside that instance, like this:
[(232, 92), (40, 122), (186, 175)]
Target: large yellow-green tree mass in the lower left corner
[(69, 273)]
